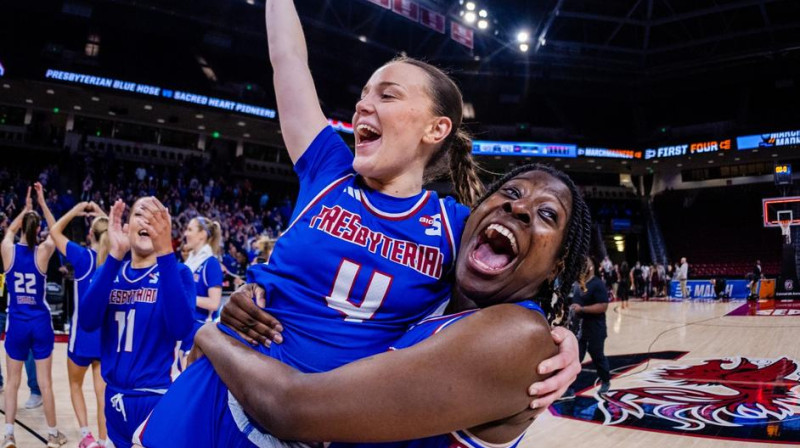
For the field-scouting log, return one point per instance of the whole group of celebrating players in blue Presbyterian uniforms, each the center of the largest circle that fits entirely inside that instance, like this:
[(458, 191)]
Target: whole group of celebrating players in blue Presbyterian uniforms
[(386, 313)]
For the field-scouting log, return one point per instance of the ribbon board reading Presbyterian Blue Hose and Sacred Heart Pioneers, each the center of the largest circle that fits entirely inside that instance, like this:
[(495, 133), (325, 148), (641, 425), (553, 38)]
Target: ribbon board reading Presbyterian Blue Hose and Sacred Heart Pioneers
[(175, 95)]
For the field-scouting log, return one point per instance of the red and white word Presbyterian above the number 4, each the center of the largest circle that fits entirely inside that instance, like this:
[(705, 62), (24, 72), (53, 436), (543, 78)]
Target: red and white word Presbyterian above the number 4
[(346, 225)]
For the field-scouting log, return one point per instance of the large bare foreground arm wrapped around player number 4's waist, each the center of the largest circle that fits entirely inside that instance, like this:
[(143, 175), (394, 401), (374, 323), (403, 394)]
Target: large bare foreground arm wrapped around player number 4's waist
[(452, 380)]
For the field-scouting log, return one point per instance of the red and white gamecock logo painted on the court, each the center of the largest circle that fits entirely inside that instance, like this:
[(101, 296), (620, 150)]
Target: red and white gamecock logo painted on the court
[(728, 392)]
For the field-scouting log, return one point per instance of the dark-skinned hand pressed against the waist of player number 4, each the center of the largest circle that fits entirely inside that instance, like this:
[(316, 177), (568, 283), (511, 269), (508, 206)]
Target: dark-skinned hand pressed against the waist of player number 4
[(244, 316)]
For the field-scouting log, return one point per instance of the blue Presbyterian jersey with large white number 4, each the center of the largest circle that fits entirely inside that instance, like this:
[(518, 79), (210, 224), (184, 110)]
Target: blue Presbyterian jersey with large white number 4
[(355, 268)]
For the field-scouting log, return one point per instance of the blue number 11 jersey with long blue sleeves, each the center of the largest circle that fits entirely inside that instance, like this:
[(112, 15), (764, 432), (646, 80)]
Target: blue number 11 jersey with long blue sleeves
[(142, 312)]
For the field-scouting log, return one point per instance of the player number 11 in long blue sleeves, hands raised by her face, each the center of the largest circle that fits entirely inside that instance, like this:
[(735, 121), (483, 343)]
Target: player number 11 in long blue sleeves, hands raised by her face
[(142, 305)]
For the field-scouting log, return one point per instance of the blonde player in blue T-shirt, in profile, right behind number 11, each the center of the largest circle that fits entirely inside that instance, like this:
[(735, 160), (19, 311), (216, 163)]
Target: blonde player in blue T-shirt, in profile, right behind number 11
[(202, 237)]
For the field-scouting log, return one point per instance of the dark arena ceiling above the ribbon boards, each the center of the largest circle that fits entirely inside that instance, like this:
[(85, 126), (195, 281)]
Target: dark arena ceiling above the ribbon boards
[(618, 73)]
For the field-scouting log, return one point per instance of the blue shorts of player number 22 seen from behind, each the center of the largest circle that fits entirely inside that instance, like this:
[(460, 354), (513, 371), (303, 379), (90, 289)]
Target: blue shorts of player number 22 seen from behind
[(36, 334)]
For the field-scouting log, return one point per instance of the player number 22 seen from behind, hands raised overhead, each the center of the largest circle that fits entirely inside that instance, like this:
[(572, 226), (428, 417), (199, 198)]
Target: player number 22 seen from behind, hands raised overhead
[(29, 326)]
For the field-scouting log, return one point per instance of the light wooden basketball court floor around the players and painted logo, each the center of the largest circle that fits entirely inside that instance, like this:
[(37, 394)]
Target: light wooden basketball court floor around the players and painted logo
[(699, 328)]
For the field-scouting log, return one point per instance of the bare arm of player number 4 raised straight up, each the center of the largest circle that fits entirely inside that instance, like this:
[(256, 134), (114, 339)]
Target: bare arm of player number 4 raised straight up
[(299, 111)]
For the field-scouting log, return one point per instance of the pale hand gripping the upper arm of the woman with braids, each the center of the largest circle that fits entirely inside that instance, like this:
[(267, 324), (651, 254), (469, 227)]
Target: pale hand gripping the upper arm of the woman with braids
[(565, 365)]
